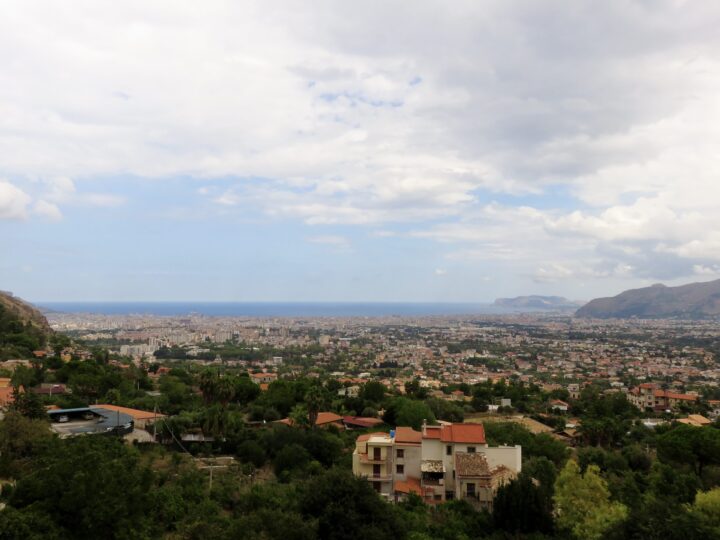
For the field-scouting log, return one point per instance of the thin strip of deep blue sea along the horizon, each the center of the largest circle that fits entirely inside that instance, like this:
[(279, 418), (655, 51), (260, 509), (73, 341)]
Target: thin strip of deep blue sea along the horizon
[(275, 309)]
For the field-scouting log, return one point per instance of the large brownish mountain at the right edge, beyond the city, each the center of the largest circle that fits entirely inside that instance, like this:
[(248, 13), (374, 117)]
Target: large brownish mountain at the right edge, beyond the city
[(692, 301)]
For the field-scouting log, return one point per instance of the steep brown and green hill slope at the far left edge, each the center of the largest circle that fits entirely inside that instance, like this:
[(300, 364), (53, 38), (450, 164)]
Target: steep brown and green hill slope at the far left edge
[(23, 328)]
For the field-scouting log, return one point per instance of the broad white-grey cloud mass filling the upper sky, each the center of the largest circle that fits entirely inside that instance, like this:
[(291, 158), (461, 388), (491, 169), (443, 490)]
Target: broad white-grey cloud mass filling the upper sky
[(415, 114)]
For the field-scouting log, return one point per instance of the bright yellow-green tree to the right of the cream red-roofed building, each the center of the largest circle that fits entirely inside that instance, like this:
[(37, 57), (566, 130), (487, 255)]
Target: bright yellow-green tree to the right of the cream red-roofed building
[(582, 503)]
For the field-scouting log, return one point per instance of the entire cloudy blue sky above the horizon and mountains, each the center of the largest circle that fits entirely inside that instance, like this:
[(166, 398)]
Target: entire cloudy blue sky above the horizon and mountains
[(357, 151)]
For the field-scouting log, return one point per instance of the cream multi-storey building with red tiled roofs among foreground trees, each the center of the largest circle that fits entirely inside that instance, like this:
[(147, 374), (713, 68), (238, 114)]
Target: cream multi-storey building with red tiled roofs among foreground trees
[(438, 463)]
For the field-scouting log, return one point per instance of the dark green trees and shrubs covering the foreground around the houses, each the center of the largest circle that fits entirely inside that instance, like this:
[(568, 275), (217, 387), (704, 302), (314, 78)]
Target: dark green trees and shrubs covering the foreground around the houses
[(621, 481)]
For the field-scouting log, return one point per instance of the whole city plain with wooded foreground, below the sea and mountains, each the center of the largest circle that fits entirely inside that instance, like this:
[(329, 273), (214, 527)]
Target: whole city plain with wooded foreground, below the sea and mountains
[(456, 426)]
